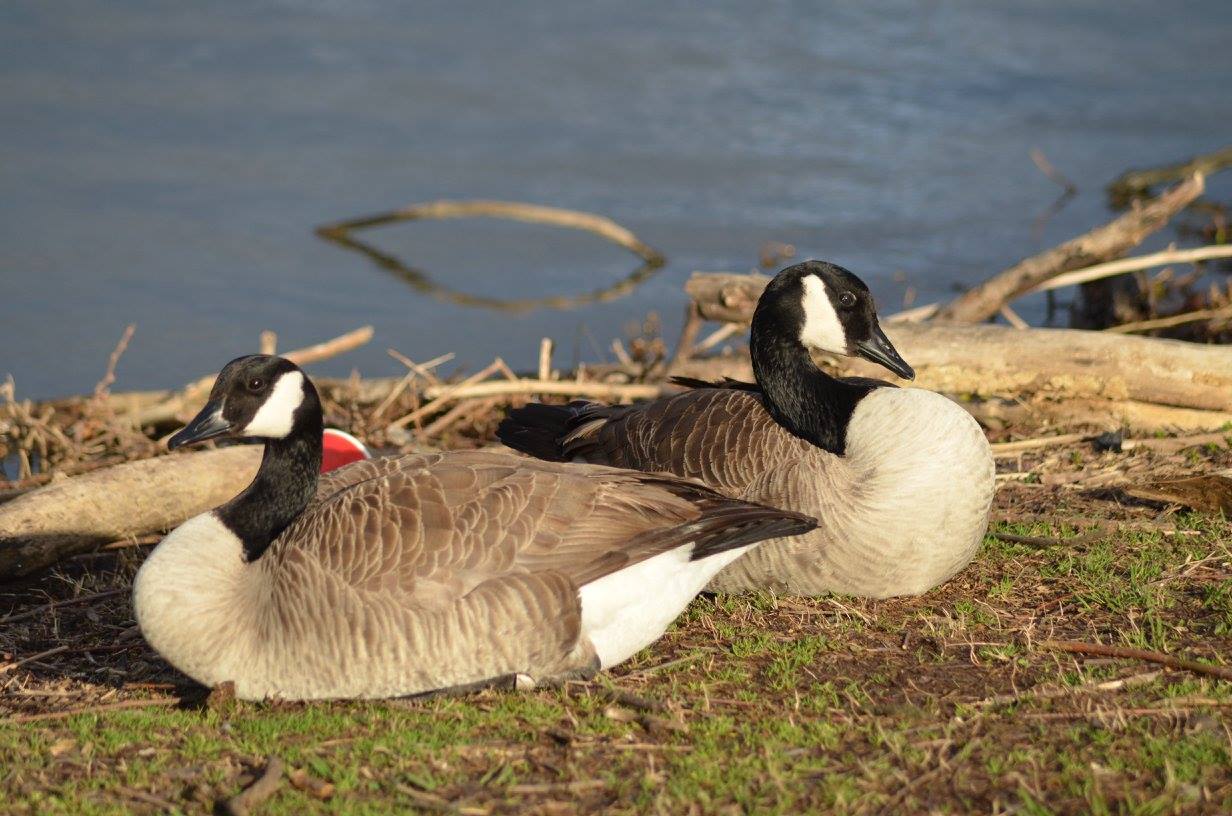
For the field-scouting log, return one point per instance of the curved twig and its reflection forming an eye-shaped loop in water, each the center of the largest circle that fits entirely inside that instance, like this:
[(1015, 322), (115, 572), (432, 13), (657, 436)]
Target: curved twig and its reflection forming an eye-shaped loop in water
[(343, 234)]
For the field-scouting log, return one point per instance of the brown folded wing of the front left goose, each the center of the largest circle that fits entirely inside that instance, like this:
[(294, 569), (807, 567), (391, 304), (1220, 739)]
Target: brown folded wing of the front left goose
[(429, 529)]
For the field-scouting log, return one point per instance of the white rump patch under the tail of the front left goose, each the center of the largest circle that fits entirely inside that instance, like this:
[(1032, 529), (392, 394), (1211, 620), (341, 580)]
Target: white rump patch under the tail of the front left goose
[(625, 612)]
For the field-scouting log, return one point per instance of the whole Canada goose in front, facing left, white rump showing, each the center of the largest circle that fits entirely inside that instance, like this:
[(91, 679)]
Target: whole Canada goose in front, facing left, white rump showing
[(412, 574)]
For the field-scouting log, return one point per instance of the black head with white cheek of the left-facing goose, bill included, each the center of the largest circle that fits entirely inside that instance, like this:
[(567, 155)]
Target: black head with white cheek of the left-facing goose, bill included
[(257, 396)]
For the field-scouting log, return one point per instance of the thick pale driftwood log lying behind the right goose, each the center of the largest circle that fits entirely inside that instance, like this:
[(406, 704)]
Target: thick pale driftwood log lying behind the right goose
[(1149, 383)]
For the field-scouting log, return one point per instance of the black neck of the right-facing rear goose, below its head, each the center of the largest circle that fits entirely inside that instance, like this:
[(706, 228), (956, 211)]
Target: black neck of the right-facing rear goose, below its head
[(801, 398)]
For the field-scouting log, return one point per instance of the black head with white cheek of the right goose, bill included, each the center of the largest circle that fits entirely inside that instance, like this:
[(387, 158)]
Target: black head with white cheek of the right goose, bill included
[(826, 308)]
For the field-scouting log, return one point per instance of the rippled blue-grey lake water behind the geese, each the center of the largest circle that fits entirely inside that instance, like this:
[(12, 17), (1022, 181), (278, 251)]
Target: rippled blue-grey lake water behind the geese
[(166, 165)]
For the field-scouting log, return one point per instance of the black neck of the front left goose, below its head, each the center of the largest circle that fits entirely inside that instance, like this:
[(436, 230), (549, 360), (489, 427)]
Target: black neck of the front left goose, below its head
[(284, 485)]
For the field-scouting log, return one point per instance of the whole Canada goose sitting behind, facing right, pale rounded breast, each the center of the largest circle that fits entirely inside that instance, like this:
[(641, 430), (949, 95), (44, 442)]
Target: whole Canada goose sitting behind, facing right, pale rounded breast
[(901, 480)]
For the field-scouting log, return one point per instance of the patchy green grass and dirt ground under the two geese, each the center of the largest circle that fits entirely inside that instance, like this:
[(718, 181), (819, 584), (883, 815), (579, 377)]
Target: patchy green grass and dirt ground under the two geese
[(939, 704)]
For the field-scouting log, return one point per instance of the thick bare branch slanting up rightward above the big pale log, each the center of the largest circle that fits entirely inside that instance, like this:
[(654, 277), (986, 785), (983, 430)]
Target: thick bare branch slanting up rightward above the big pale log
[(1114, 239)]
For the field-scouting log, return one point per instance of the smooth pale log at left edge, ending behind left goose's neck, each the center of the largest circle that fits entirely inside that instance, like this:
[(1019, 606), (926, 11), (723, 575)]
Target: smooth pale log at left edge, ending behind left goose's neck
[(110, 505)]
